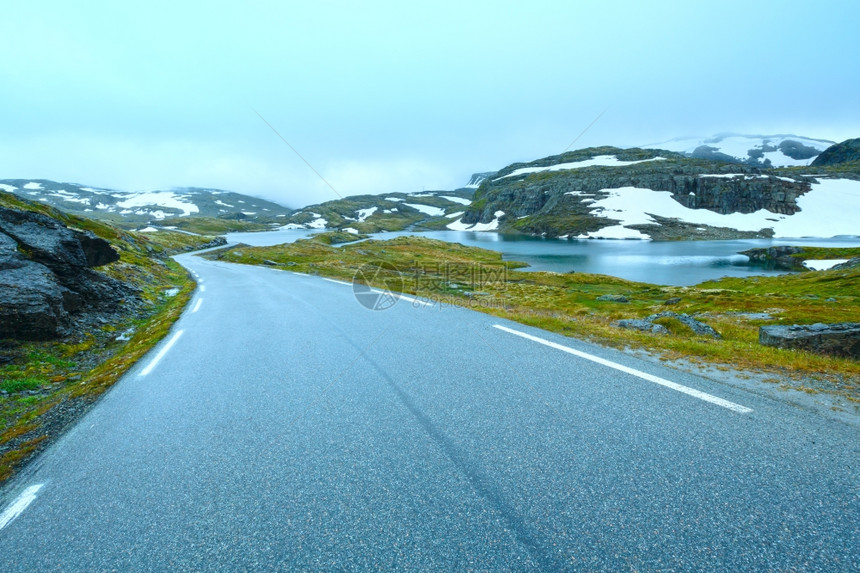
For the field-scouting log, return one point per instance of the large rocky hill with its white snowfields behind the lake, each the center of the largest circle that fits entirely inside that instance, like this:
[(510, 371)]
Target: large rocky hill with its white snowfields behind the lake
[(608, 192)]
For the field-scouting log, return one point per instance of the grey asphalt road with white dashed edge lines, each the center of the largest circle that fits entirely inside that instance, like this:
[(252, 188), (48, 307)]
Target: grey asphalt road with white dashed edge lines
[(290, 428)]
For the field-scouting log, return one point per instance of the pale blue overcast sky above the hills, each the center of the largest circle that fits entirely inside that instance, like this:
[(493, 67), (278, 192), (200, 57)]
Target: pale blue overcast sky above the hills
[(400, 96)]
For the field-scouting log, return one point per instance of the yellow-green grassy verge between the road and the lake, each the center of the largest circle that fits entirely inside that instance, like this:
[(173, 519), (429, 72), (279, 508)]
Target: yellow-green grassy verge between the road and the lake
[(570, 303)]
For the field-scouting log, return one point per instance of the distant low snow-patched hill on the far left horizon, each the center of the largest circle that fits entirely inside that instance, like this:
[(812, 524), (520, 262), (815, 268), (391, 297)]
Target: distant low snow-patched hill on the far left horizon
[(141, 208)]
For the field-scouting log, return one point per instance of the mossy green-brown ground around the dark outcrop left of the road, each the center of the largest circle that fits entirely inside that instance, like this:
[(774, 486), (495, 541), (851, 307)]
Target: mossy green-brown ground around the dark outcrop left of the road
[(44, 386)]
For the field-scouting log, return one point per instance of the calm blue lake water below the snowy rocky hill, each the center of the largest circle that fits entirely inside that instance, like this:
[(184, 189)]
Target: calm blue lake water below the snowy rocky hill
[(679, 263)]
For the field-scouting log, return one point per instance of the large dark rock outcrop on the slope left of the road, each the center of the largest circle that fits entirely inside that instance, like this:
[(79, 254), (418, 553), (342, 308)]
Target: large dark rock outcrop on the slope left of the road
[(47, 281)]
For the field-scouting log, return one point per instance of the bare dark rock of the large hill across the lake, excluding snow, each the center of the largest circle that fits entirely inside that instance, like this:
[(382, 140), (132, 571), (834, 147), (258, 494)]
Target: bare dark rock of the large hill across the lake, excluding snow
[(559, 202)]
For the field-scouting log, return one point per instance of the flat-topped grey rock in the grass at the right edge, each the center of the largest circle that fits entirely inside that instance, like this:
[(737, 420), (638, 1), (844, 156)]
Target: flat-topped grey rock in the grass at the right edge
[(840, 339)]
